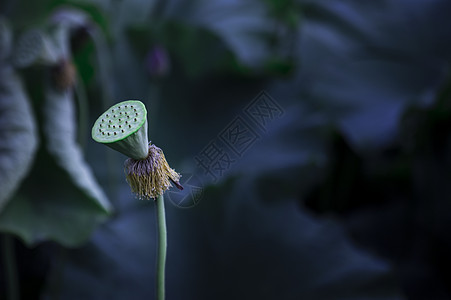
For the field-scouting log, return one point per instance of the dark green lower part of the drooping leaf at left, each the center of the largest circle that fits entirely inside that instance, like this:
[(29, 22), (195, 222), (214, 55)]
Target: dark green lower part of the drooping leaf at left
[(51, 207)]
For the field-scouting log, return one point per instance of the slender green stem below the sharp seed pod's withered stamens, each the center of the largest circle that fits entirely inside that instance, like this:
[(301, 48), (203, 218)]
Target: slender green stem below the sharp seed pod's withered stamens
[(162, 247)]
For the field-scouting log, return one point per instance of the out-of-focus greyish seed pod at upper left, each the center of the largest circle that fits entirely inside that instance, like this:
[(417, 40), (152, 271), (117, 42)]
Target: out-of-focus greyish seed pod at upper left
[(34, 47)]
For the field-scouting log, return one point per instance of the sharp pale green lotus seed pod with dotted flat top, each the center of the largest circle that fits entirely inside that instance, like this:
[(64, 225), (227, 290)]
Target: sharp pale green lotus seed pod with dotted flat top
[(123, 127)]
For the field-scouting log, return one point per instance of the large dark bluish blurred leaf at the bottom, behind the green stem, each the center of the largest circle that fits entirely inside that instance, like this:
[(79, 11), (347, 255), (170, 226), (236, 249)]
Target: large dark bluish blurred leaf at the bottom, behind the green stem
[(228, 247)]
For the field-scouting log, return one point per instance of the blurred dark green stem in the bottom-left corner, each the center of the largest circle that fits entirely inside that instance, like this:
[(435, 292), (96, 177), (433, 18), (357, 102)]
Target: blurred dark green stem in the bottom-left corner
[(9, 260)]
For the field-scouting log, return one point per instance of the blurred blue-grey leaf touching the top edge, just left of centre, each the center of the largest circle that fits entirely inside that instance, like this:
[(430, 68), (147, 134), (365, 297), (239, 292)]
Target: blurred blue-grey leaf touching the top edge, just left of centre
[(241, 25)]
